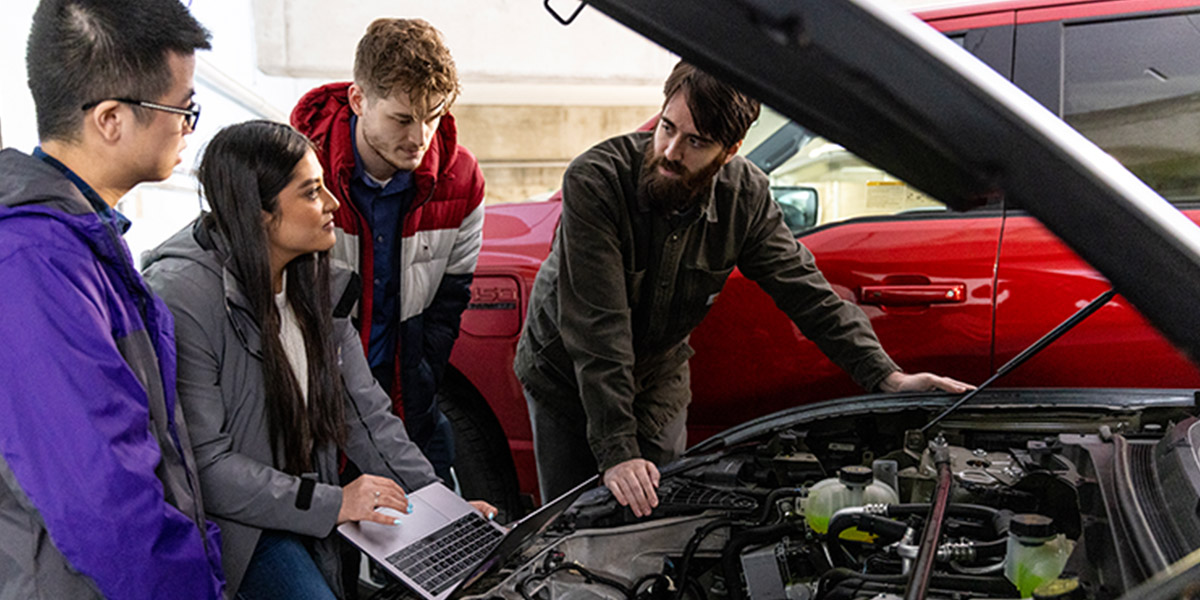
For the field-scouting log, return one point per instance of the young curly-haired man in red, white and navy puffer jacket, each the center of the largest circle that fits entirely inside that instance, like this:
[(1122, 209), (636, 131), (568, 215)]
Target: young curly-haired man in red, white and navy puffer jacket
[(411, 219)]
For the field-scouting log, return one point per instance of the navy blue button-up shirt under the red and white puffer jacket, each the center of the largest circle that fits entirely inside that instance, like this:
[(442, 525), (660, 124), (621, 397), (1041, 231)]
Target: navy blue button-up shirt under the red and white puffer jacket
[(385, 208)]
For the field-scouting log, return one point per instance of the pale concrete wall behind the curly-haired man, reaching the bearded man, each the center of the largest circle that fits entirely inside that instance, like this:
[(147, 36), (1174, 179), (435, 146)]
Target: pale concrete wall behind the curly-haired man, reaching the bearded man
[(536, 93)]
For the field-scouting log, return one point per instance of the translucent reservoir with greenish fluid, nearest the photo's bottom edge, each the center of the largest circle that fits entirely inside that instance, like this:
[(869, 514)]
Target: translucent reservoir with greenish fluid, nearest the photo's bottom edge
[(1036, 555)]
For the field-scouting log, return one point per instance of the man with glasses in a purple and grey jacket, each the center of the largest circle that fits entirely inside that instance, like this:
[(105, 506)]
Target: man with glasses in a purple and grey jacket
[(99, 491)]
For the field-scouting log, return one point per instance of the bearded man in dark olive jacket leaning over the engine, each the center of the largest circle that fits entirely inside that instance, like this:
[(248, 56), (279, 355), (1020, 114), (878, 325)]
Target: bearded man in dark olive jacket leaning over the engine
[(652, 226)]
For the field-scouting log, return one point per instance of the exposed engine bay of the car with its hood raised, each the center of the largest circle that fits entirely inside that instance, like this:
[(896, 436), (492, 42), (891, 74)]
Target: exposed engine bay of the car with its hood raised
[(1033, 500)]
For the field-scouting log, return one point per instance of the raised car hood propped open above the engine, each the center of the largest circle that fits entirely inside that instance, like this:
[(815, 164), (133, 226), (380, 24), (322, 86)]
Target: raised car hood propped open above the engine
[(901, 95)]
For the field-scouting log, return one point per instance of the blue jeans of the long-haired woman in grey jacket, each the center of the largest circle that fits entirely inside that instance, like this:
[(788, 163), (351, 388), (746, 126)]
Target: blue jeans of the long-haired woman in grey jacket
[(283, 569)]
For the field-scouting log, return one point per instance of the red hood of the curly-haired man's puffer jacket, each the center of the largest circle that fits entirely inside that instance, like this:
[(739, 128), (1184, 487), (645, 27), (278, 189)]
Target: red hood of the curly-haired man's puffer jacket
[(325, 112)]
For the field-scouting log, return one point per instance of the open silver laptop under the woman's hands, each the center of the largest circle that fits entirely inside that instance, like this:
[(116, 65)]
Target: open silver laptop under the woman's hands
[(446, 544)]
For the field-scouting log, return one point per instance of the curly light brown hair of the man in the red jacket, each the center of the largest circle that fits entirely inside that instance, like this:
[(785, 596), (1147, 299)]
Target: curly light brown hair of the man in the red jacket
[(406, 56)]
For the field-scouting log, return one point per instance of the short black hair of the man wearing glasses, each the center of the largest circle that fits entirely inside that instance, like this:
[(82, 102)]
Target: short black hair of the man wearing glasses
[(88, 51)]
